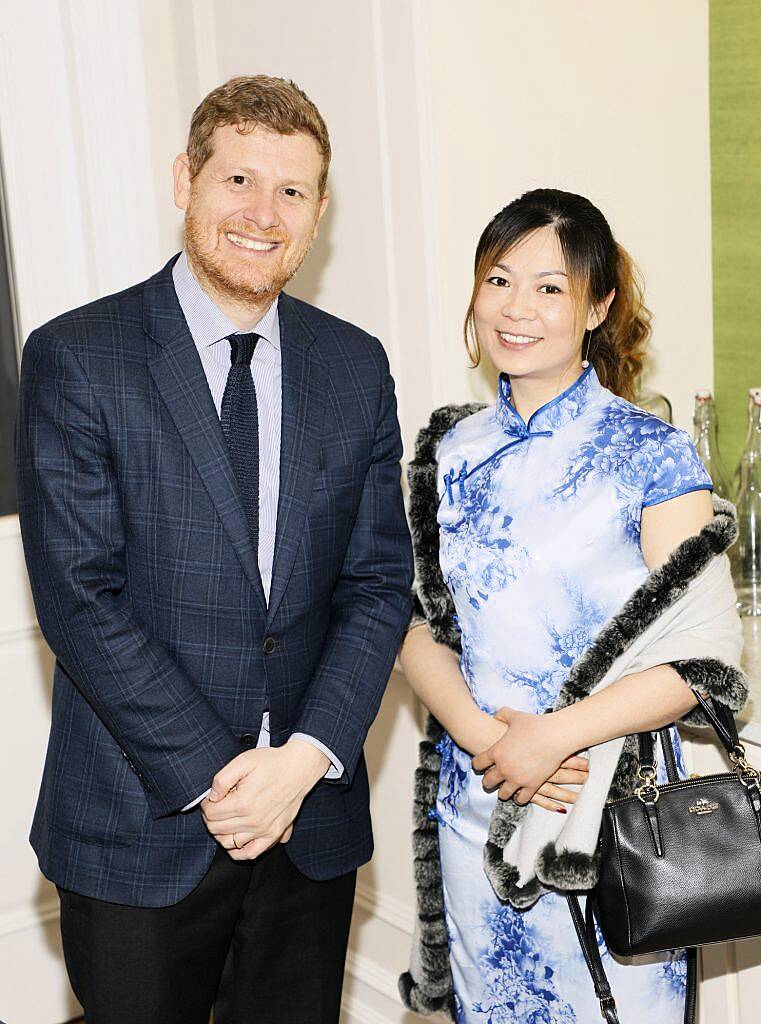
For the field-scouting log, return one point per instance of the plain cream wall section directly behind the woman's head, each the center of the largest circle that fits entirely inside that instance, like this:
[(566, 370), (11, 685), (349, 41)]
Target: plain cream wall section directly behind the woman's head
[(607, 99)]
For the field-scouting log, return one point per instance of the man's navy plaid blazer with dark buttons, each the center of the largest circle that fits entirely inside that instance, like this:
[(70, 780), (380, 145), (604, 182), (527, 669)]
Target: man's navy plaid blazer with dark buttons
[(146, 583)]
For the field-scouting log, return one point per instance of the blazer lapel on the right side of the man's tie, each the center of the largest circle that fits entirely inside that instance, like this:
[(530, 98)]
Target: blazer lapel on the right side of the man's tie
[(304, 412)]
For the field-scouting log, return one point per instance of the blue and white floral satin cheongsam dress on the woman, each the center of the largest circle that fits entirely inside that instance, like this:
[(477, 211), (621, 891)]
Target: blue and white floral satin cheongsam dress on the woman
[(540, 547)]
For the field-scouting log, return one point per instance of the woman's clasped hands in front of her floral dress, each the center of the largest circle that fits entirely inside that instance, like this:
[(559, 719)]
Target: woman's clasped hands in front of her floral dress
[(532, 762)]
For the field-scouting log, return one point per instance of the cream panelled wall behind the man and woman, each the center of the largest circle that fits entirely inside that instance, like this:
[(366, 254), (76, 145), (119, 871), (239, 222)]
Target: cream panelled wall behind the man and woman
[(440, 113)]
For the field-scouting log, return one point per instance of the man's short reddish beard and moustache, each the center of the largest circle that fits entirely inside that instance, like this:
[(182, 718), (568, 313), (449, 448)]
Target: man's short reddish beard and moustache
[(238, 282)]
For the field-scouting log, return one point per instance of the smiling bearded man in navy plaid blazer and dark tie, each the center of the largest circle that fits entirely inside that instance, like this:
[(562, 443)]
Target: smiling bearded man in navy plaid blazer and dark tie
[(209, 494)]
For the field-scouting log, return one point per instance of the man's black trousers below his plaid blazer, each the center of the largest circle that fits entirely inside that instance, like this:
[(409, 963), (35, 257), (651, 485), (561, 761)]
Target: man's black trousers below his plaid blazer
[(261, 942)]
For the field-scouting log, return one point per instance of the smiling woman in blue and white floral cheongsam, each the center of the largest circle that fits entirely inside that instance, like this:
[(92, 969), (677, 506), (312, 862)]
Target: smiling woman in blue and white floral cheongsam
[(552, 508)]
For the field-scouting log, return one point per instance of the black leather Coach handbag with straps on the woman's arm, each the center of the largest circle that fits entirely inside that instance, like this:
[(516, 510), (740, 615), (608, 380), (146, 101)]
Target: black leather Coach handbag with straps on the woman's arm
[(681, 864)]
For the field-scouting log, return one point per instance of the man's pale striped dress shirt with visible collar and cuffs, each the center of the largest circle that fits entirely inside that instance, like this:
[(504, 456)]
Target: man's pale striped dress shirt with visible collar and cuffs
[(210, 330)]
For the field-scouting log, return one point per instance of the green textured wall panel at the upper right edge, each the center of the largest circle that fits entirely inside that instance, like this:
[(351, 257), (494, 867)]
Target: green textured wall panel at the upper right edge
[(736, 187)]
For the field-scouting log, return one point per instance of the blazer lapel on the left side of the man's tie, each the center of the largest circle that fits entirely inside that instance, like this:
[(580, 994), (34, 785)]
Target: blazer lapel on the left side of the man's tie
[(180, 376)]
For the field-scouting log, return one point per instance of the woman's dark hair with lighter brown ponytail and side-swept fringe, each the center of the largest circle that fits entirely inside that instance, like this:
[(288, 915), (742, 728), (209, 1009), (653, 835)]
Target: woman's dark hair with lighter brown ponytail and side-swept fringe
[(596, 265)]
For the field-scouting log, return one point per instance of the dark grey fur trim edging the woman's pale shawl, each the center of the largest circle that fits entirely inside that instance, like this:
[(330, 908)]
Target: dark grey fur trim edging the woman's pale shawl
[(428, 988)]
